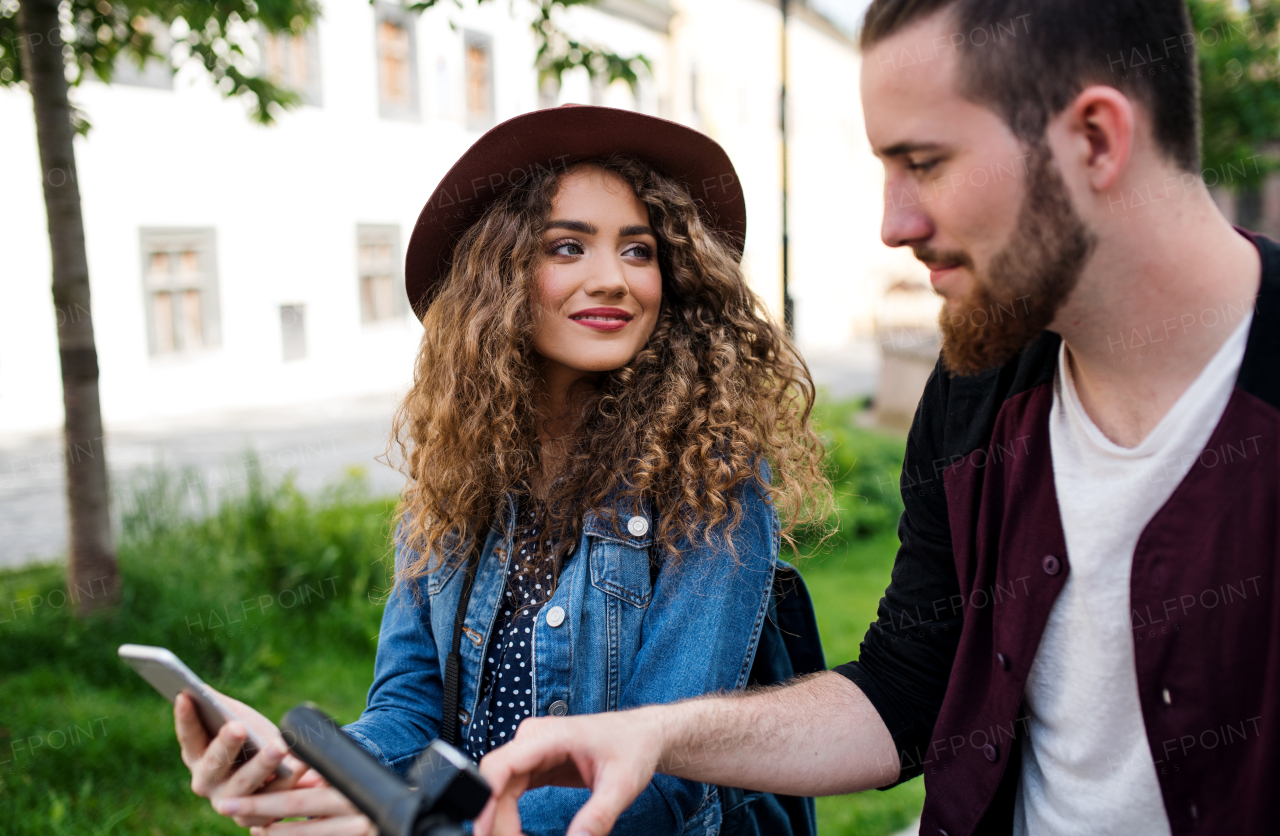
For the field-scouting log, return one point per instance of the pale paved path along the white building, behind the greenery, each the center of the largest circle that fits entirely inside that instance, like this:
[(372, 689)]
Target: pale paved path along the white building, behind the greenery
[(317, 444)]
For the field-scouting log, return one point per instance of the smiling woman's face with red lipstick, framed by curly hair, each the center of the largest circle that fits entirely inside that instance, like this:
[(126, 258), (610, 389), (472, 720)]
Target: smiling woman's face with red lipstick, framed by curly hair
[(600, 282)]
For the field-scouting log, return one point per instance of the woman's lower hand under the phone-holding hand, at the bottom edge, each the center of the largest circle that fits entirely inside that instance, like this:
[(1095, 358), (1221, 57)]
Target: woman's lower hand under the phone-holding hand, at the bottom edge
[(331, 811)]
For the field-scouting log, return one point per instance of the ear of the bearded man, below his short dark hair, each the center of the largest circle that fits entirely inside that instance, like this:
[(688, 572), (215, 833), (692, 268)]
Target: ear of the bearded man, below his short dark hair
[(1099, 129)]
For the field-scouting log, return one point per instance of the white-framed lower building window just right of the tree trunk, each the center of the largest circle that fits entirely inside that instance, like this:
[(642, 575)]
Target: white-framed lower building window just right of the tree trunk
[(180, 278)]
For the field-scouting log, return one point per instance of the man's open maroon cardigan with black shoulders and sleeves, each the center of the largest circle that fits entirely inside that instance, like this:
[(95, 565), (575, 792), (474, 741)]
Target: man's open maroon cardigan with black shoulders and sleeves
[(984, 559)]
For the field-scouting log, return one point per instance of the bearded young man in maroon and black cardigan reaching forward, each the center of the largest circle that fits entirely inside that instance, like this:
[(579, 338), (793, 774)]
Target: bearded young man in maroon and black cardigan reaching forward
[(1082, 633)]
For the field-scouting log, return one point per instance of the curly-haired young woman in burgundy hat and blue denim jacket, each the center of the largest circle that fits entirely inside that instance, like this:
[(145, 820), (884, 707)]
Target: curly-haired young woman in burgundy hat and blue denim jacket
[(602, 430)]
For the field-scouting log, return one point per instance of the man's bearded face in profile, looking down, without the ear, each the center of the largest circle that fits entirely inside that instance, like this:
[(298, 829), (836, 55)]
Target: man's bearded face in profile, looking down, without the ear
[(989, 216)]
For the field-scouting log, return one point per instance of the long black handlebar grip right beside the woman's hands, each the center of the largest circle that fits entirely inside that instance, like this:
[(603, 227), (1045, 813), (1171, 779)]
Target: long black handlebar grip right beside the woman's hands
[(380, 793)]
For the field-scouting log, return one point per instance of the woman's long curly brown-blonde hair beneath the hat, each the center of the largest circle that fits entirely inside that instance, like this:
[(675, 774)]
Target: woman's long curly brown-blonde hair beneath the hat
[(717, 390)]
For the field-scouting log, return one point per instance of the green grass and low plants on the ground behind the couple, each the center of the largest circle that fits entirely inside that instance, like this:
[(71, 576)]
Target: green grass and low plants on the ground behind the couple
[(275, 599)]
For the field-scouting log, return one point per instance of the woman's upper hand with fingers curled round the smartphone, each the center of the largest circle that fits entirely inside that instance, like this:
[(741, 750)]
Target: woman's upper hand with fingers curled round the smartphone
[(213, 762)]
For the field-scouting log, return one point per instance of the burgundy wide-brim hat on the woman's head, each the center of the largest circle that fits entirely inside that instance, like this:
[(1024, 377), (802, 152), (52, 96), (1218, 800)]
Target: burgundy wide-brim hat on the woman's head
[(555, 140)]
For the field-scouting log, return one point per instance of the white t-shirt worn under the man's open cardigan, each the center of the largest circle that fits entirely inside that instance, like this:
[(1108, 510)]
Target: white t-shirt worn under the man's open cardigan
[(1087, 768)]
